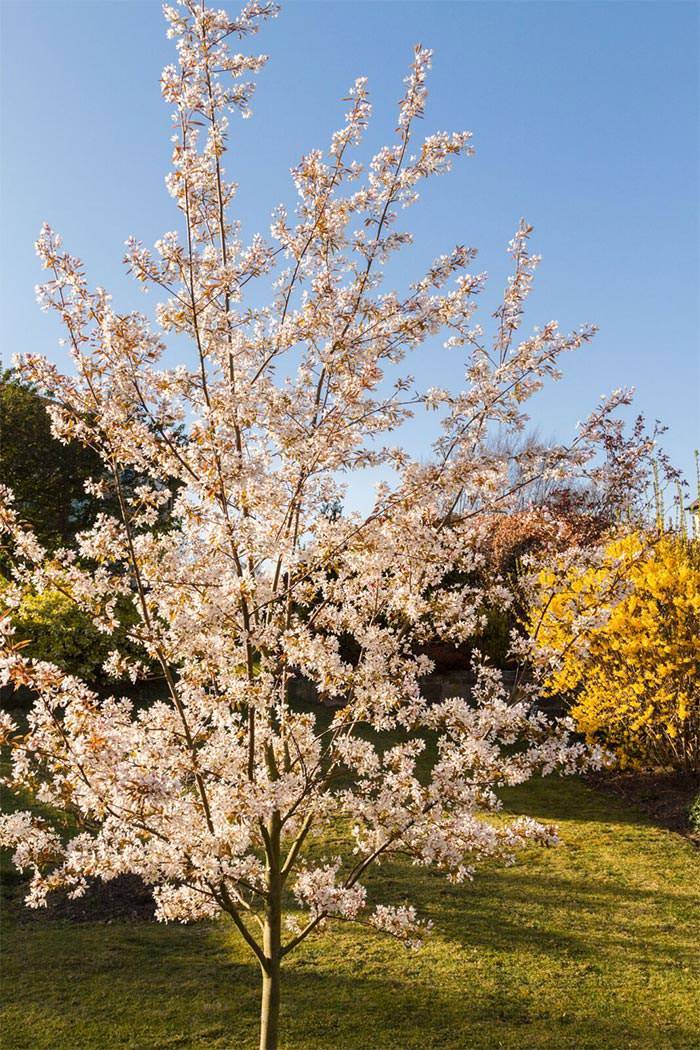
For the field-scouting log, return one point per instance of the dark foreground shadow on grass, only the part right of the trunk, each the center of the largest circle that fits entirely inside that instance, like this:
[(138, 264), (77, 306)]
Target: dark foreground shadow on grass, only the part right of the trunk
[(417, 1015)]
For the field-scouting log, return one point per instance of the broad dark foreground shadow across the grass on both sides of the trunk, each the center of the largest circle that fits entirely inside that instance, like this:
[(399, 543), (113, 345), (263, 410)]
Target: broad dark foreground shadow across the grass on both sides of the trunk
[(146, 993)]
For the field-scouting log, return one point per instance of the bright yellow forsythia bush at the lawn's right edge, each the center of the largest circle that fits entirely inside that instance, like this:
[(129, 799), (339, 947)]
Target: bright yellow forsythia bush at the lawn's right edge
[(625, 634)]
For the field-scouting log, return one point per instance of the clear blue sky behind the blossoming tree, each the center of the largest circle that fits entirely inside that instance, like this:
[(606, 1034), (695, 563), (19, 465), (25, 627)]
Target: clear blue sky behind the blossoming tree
[(585, 119)]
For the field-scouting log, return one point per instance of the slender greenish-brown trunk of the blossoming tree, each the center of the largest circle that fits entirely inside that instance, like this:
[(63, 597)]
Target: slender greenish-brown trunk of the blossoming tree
[(272, 943)]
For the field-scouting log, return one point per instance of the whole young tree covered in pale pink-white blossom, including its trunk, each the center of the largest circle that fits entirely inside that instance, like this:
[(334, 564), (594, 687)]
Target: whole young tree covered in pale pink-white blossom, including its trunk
[(220, 797)]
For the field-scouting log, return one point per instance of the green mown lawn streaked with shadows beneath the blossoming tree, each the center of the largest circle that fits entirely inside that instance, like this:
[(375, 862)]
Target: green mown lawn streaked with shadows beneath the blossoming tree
[(593, 946)]
